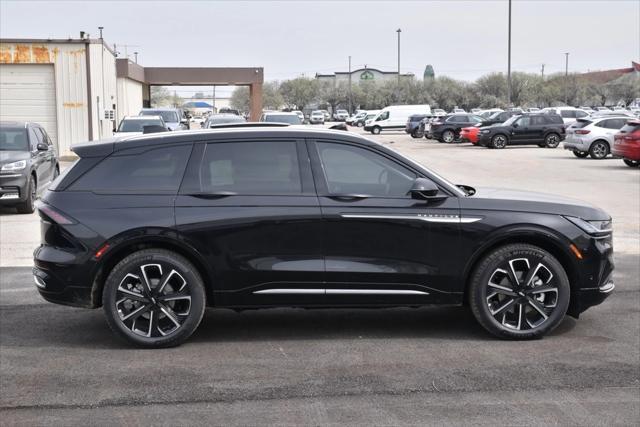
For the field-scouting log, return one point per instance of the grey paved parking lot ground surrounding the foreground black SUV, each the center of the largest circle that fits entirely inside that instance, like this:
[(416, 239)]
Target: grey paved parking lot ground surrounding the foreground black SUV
[(62, 365)]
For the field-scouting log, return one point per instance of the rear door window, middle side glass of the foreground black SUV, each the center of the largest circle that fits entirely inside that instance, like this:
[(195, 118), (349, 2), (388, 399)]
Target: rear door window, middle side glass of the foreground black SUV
[(251, 168)]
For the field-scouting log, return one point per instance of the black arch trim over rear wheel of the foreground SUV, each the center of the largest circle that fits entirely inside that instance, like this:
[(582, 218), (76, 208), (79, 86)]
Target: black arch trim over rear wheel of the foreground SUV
[(117, 253)]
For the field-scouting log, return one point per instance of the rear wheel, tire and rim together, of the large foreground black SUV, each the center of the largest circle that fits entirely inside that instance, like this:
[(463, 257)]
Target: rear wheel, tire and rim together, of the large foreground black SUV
[(166, 305)]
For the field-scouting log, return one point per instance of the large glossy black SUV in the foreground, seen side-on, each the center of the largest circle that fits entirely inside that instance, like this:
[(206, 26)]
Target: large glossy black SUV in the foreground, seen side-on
[(155, 228)]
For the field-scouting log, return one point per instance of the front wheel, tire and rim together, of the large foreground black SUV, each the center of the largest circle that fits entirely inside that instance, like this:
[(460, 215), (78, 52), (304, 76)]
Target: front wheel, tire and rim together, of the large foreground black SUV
[(534, 306)]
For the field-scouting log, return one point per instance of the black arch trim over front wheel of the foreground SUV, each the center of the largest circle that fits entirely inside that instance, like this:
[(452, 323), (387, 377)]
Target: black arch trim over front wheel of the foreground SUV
[(542, 238)]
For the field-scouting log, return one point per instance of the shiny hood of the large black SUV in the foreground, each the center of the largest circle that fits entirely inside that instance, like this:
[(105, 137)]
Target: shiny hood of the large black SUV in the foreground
[(529, 201)]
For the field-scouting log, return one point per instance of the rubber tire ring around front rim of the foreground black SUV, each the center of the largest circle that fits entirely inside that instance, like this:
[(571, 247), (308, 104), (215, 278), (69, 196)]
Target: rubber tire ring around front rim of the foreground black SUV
[(483, 273)]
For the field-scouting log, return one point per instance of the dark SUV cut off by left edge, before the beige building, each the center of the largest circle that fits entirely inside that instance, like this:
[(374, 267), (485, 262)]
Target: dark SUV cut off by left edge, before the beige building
[(28, 164)]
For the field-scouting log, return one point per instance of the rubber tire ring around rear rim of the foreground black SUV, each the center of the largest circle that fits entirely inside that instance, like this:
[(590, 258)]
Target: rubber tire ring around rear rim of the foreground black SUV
[(150, 256)]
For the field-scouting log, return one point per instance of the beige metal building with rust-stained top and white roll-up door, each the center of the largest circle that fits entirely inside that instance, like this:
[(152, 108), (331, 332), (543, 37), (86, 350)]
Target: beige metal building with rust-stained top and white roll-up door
[(68, 86)]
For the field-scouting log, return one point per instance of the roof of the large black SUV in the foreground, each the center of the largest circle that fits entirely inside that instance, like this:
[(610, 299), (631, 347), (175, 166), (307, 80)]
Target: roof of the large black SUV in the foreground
[(107, 146)]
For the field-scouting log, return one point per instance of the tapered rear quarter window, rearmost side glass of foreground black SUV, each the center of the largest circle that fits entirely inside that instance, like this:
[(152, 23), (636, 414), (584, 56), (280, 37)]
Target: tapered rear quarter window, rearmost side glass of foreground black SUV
[(158, 170)]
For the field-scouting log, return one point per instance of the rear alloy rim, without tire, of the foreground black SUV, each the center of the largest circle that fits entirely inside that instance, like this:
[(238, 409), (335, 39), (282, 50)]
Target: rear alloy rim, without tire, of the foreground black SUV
[(153, 300)]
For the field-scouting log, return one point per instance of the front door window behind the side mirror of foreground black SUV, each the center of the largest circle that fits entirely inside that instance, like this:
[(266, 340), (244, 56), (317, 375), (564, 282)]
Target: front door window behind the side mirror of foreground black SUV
[(355, 170)]
